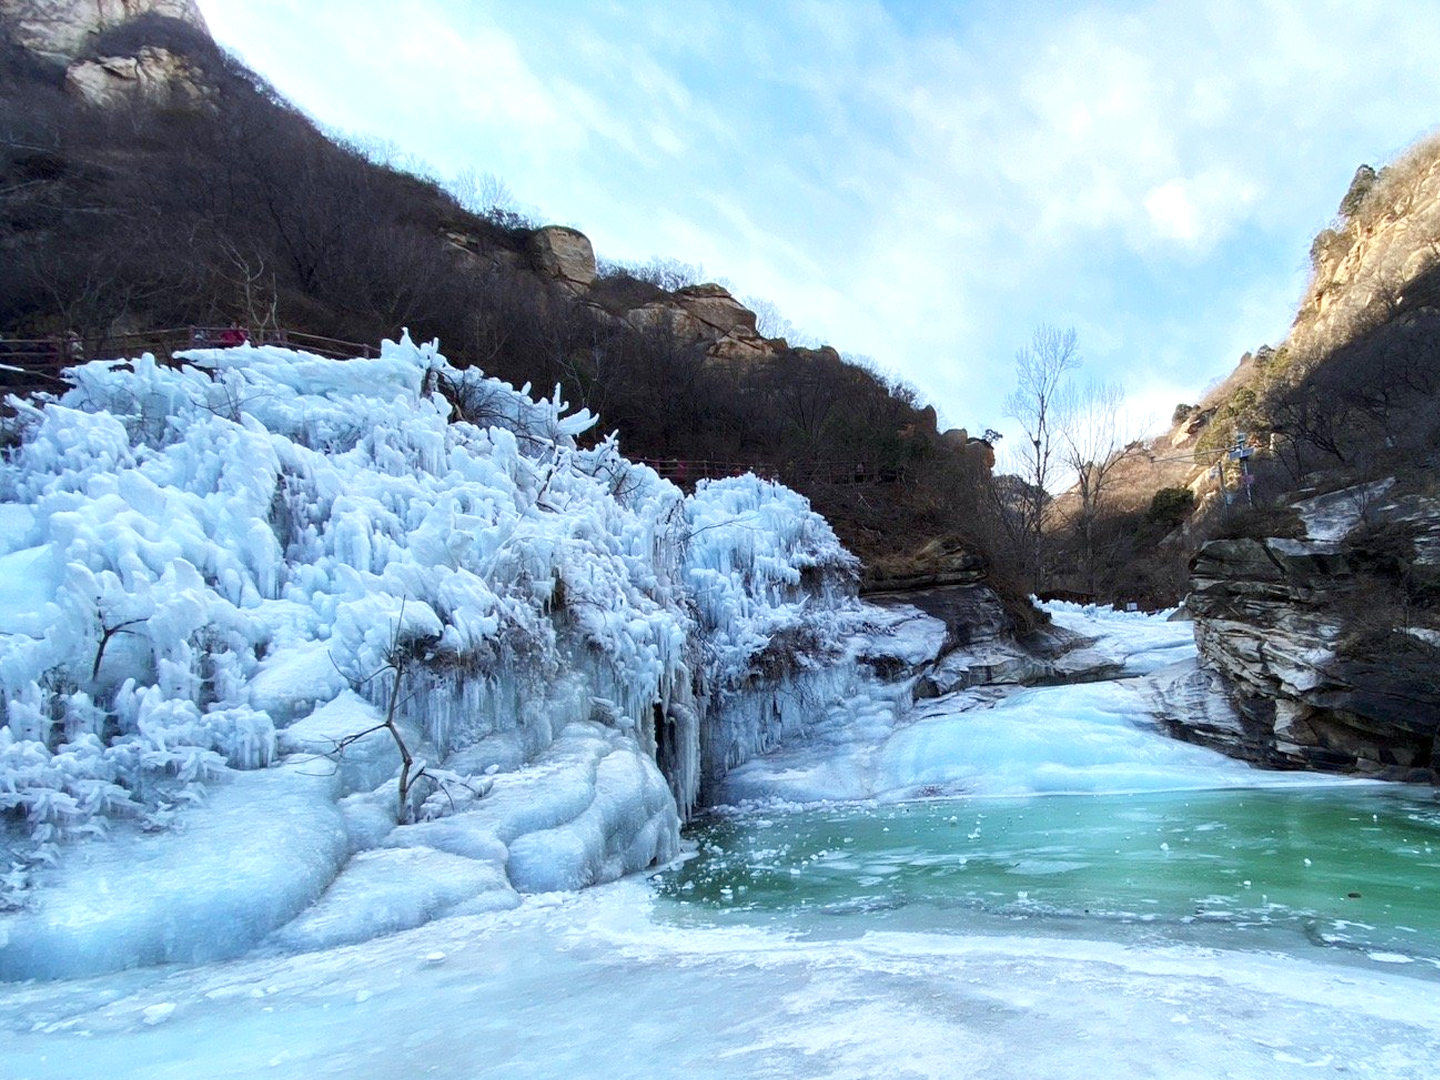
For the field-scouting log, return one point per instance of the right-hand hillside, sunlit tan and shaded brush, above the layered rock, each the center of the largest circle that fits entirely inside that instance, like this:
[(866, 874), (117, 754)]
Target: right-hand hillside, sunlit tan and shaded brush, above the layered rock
[(1347, 398)]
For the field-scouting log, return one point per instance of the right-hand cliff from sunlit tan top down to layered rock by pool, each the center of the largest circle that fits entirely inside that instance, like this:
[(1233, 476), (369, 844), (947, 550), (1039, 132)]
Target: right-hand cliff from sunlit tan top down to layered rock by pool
[(1326, 634)]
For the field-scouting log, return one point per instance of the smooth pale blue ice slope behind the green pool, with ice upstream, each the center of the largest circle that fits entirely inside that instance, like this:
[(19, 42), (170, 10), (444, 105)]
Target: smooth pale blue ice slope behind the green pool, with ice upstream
[(1089, 738)]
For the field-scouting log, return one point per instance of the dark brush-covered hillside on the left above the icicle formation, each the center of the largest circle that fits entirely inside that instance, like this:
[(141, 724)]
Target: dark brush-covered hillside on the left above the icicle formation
[(218, 202)]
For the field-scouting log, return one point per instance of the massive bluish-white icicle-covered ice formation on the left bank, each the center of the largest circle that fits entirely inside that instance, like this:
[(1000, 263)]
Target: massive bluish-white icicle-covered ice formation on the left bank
[(221, 581)]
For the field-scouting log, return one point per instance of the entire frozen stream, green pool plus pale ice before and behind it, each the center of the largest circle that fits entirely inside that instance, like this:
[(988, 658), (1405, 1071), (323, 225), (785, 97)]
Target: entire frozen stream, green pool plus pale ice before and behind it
[(1098, 902)]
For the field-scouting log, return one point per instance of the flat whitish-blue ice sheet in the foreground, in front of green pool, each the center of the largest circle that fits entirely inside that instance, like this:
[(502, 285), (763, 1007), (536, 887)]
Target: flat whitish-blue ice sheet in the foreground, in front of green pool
[(603, 984)]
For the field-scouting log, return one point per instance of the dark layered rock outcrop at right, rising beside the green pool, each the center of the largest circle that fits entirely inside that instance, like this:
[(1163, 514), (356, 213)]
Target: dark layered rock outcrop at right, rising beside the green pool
[(1321, 644)]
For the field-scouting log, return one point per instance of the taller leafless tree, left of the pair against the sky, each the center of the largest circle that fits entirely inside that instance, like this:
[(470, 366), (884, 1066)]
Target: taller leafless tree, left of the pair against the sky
[(1040, 378)]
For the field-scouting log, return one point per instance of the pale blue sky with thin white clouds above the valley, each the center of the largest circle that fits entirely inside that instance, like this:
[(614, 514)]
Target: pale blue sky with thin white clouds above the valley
[(922, 184)]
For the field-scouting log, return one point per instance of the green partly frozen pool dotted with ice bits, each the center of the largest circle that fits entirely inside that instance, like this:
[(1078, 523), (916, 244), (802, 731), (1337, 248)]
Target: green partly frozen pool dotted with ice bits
[(1346, 866)]
